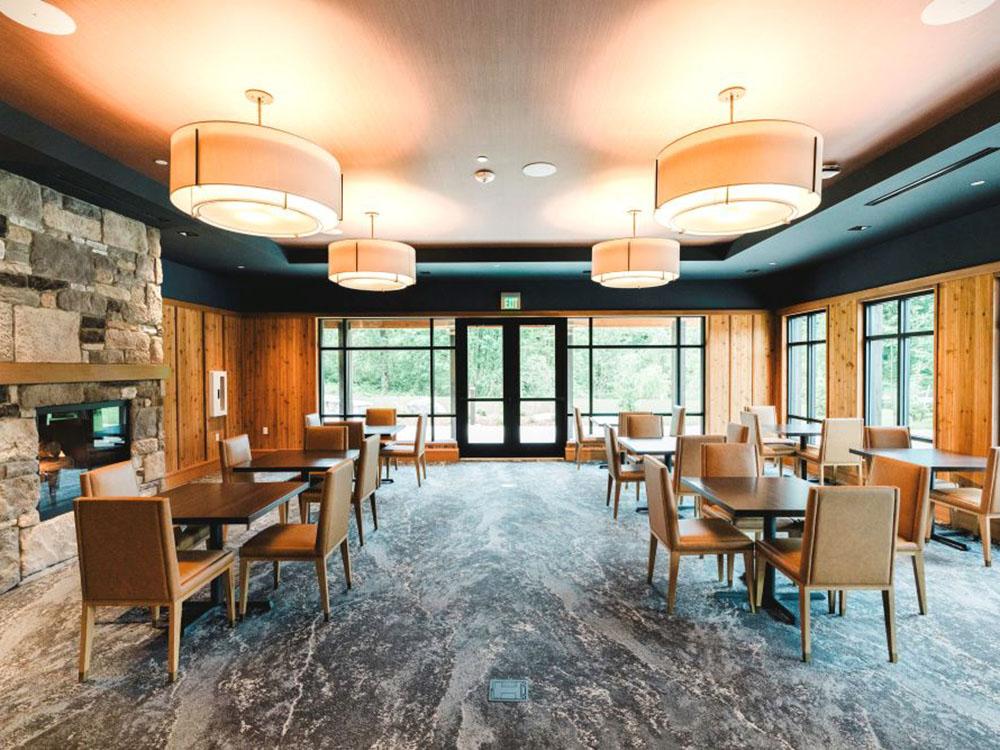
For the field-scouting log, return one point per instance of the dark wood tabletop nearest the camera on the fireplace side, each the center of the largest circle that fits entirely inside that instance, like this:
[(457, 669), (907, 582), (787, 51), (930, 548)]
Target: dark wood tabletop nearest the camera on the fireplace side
[(228, 502)]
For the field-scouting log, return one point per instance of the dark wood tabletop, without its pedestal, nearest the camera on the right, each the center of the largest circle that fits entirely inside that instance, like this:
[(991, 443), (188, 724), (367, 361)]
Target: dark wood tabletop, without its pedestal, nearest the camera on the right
[(756, 497)]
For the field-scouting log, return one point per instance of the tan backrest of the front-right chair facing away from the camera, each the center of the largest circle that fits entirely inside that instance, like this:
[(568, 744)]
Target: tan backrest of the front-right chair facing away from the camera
[(849, 538)]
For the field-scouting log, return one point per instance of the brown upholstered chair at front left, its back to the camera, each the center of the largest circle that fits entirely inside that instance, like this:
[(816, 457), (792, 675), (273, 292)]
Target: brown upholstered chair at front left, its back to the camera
[(128, 558)]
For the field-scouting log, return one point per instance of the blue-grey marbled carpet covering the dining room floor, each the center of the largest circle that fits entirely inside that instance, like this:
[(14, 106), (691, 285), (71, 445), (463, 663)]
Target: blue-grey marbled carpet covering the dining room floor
[(510, 570)]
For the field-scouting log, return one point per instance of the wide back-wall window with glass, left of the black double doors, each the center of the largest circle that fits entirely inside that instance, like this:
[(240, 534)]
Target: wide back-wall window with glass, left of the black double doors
[(403, 364)]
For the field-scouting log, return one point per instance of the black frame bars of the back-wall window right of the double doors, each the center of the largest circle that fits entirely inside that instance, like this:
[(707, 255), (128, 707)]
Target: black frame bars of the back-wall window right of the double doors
[(678, 348)]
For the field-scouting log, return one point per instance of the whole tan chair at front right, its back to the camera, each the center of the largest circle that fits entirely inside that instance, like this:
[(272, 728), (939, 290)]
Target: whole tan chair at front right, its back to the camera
[(848, 542)]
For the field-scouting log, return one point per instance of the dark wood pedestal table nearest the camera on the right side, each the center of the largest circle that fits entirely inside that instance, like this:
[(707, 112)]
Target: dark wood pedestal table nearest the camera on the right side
[(767, 498)]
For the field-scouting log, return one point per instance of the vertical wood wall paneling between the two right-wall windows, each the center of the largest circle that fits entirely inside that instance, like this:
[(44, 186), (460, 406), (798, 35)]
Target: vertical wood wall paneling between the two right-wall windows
[(844, 363)]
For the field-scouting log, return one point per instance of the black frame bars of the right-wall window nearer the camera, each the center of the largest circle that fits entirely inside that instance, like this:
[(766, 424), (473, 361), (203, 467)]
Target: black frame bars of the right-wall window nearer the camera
[(902, 339)]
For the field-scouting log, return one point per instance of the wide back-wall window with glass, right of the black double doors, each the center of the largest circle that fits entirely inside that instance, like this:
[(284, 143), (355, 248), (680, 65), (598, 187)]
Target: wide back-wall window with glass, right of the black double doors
[(637, 364)]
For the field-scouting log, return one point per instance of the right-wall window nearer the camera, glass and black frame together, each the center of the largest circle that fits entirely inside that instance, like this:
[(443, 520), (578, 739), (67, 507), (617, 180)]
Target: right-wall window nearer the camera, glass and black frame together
[(899, 363)]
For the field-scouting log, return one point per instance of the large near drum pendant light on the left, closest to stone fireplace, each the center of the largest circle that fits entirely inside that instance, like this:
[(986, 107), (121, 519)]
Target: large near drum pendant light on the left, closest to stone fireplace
[(253, 179)]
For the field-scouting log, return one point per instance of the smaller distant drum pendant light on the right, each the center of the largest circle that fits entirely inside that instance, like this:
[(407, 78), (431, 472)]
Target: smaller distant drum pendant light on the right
[(635, 262)]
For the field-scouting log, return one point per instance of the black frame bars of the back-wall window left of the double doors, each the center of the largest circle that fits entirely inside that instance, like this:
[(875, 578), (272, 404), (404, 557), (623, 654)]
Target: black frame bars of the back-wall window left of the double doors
[(345, 349)]
